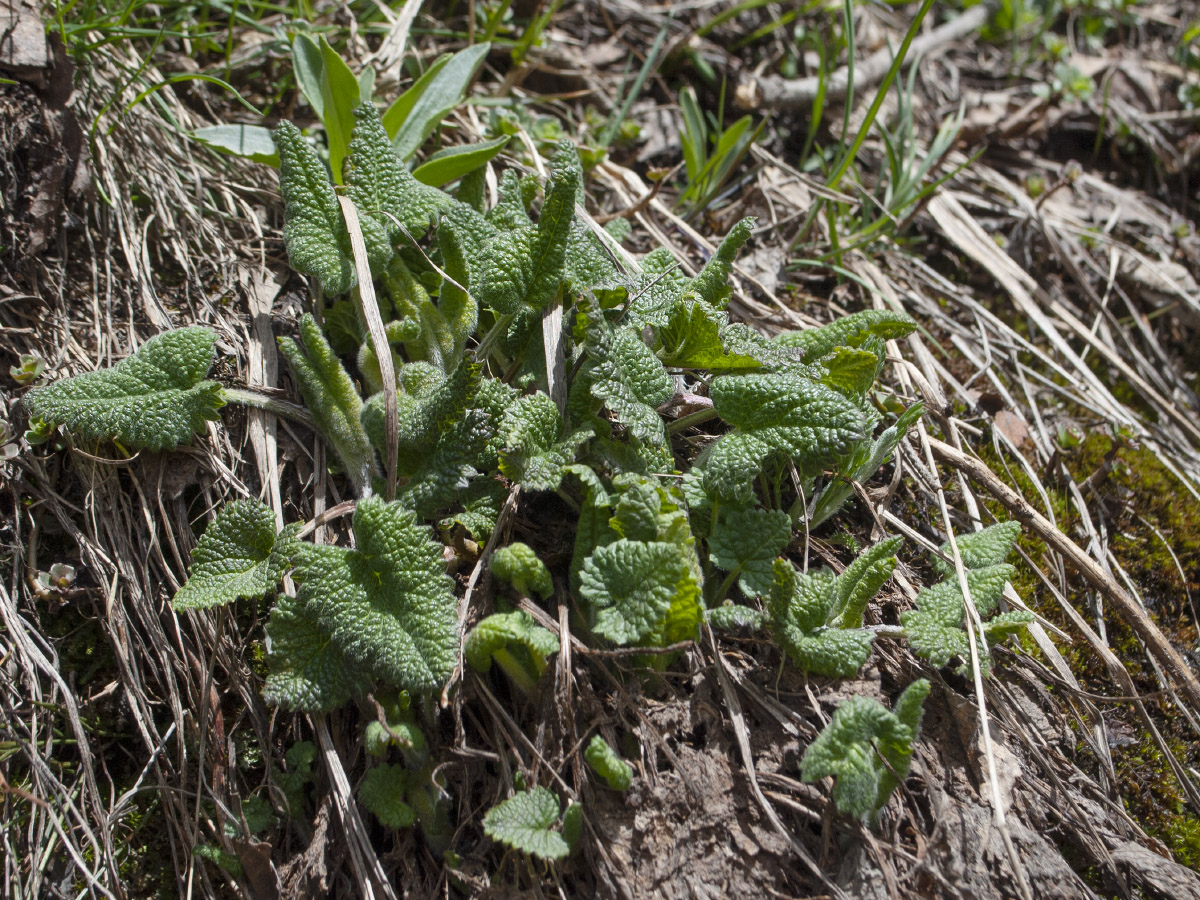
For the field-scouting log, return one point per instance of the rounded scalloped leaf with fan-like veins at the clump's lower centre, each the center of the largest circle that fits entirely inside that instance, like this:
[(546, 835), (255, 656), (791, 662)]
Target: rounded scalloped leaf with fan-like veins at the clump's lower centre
[(644, 593)]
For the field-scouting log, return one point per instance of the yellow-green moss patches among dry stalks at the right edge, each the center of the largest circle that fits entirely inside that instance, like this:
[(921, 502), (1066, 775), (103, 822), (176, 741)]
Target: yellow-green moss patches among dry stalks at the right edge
[(1156, 539)]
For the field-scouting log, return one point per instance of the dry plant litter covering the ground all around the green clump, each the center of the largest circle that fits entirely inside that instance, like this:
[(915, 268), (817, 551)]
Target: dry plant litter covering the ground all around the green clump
[(1046, 245)]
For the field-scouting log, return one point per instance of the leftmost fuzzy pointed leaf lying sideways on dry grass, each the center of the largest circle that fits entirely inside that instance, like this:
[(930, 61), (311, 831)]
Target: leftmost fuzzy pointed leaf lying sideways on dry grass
[(157, 399)]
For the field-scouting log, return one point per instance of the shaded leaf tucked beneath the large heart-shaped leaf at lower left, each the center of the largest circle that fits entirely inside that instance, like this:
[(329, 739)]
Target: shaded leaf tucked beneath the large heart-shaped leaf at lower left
[(308, 673)]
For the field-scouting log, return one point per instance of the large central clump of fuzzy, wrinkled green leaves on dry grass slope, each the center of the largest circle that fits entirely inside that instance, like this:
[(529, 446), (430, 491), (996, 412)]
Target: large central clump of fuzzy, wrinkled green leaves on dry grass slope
[(795, 405)]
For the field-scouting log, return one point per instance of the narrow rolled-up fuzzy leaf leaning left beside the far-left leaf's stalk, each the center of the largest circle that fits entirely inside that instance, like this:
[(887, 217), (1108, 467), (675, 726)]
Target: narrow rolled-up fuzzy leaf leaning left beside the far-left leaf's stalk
[(331, 395)]
